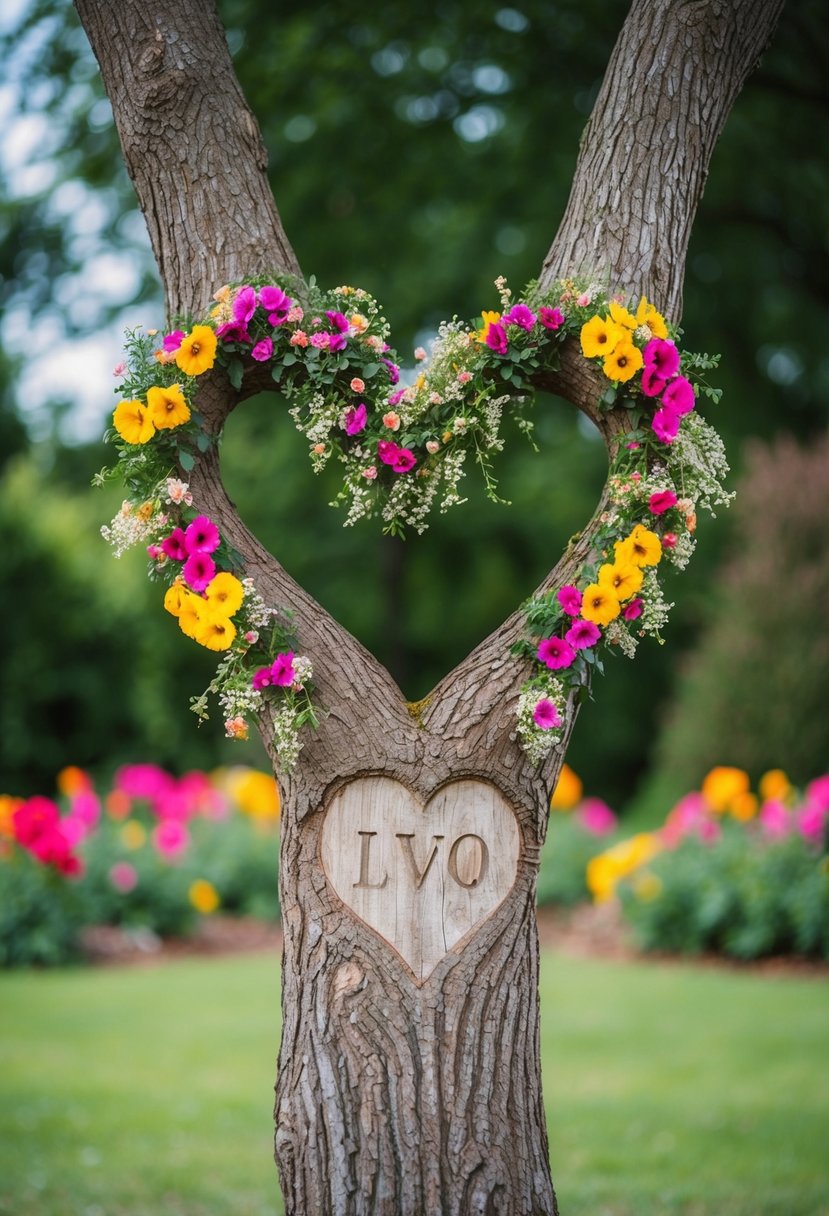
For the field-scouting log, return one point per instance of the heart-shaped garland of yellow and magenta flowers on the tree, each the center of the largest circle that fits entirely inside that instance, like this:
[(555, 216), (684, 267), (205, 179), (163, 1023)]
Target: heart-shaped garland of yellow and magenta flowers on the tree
[(403, 448)]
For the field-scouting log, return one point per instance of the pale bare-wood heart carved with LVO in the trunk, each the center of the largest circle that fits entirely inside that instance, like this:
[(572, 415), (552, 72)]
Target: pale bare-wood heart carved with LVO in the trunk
[(422, 877)]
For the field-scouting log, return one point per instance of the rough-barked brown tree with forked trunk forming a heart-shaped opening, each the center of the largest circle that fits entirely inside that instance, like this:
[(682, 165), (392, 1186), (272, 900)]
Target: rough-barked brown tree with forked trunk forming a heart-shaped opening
[(414, 1089)]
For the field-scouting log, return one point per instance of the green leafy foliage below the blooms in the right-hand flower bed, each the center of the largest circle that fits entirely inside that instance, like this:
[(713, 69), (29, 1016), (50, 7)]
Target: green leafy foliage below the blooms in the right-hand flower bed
[(740, 897)]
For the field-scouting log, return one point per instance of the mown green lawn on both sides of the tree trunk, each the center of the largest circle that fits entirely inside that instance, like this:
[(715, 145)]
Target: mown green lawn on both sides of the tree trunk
[(670, 1090)]
